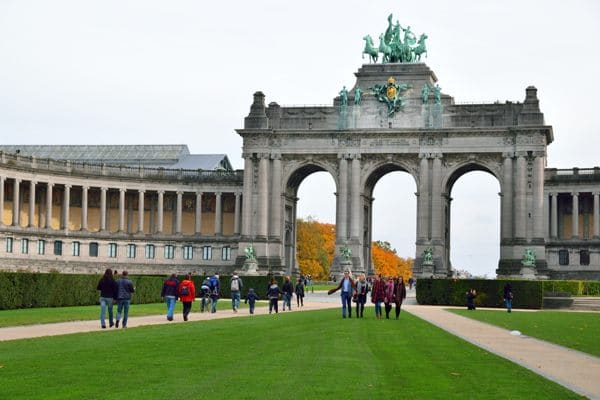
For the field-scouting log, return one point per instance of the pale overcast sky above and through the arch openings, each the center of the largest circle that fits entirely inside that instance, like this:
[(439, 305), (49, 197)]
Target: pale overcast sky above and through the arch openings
[(154, 72)]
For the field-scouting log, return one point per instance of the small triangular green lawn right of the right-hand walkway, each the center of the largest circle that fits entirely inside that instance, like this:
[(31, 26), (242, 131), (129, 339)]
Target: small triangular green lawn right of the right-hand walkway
[(576, 330)]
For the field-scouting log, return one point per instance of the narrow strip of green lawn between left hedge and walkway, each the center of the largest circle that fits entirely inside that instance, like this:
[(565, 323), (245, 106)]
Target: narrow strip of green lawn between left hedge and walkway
[(30, 316)]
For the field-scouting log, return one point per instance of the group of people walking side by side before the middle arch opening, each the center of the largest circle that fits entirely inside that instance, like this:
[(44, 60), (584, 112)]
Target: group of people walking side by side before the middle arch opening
[(384, 291)]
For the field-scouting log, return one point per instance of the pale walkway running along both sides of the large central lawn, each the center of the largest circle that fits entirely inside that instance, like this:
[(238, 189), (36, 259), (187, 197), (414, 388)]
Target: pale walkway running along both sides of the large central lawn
[(576, 371)]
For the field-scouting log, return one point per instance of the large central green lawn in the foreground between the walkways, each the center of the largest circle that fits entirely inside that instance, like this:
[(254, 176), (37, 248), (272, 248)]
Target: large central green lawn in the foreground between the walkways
[(307, 355)]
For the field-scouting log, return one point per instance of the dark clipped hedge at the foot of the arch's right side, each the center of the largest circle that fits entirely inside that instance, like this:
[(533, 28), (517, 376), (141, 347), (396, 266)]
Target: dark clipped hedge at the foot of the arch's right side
[(490, 293)]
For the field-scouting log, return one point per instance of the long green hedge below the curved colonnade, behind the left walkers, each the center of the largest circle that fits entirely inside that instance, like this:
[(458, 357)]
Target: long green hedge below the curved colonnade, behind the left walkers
[(33, 289)]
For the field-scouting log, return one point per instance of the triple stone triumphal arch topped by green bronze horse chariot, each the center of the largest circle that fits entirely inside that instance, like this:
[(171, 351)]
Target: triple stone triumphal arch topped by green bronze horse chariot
[(395, 118)]
